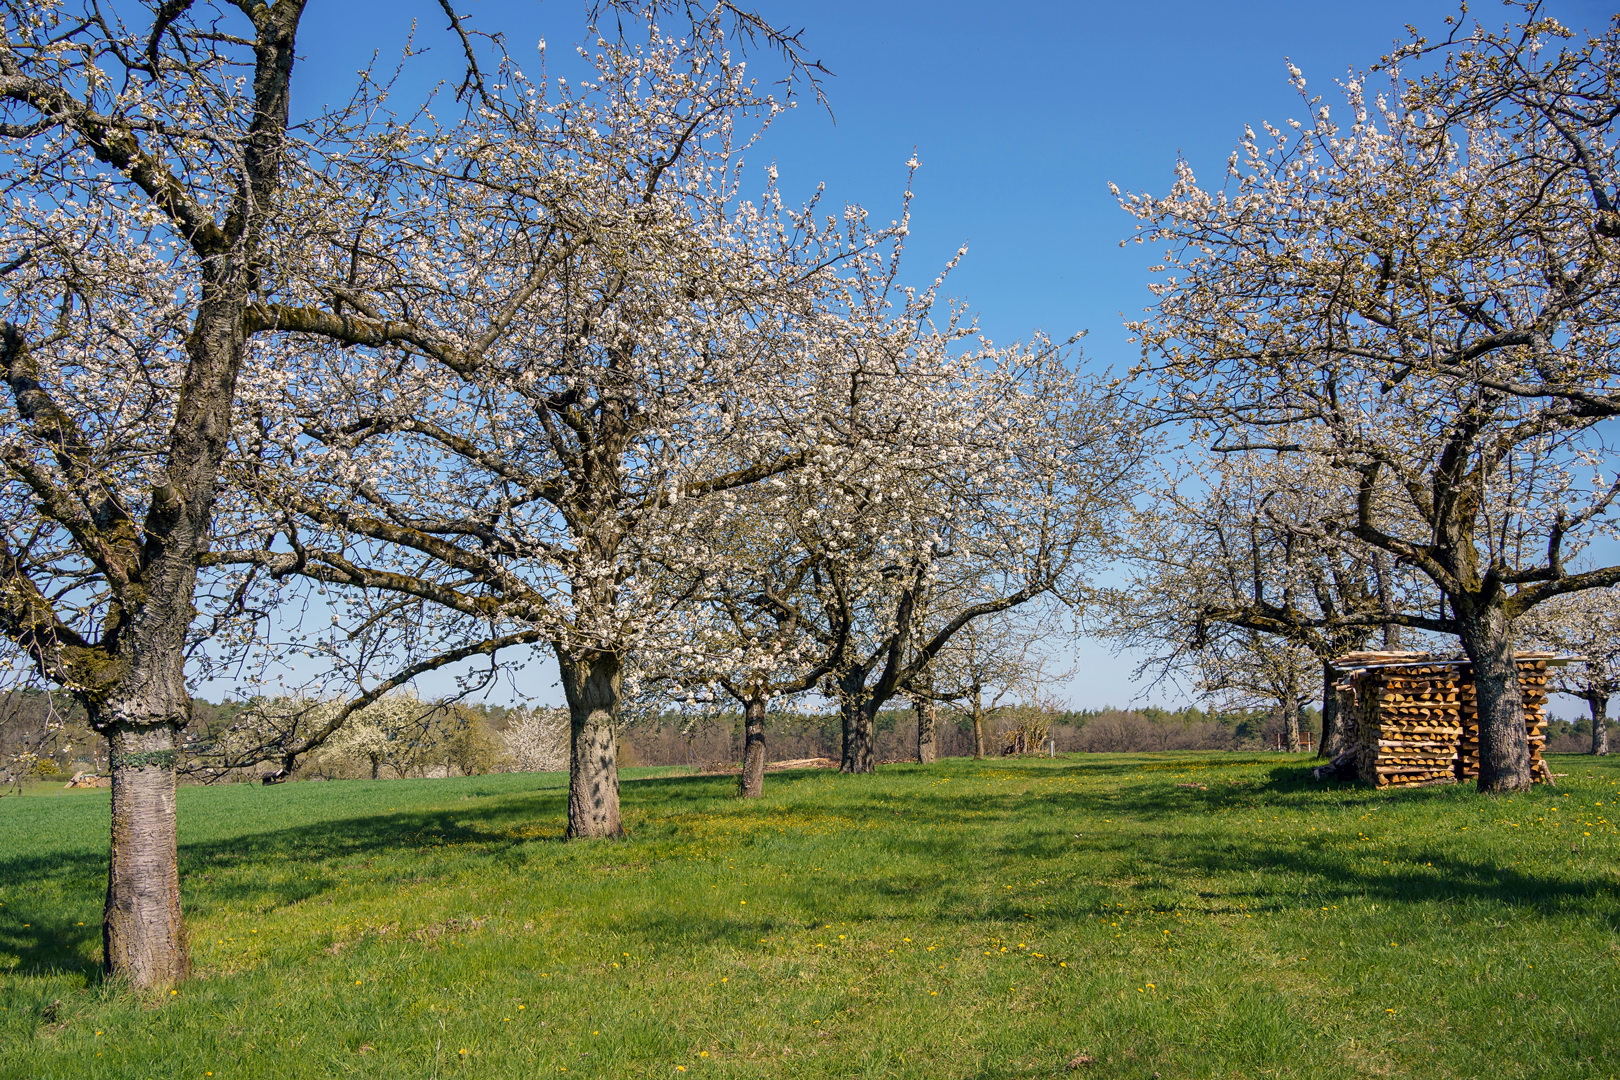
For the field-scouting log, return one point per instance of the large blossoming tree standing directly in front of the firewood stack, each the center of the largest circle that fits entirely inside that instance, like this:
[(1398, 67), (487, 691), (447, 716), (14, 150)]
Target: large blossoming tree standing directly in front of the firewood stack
[(1422, 299)]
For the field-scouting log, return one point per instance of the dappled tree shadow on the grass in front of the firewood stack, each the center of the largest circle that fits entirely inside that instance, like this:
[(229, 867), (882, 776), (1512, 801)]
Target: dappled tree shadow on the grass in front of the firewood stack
[(1057, 831)]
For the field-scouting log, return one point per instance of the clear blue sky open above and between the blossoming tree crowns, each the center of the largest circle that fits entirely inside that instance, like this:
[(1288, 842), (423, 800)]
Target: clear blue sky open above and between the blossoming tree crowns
[(1021, 114)]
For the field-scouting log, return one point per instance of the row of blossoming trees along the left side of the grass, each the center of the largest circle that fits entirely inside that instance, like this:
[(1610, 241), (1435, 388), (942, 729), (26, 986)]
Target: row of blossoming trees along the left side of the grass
[(401, 386)]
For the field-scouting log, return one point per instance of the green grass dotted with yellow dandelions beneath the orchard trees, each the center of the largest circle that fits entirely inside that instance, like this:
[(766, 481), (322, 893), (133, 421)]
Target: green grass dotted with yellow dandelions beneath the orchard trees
[(1162, 916)]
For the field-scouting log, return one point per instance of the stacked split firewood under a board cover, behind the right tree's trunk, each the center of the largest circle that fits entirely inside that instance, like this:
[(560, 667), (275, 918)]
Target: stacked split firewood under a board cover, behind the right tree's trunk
[(1418, 718)]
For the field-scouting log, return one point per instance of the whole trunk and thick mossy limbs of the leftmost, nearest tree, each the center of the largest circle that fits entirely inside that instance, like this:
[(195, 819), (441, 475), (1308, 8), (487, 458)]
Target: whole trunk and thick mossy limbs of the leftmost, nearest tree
[(132, 679)]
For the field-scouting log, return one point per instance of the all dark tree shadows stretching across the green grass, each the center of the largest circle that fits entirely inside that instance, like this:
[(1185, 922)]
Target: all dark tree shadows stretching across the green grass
[(1054, 833)]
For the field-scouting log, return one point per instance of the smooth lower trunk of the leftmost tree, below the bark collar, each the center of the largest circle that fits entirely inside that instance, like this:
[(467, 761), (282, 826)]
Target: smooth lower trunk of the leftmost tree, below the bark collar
[(143, 935)]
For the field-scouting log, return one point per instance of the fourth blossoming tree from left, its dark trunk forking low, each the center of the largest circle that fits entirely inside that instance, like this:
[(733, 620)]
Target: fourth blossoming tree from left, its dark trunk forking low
[(1010, 498)]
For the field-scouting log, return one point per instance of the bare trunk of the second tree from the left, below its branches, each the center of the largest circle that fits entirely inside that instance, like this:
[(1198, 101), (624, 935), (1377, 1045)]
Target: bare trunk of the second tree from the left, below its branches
[(592, 684)]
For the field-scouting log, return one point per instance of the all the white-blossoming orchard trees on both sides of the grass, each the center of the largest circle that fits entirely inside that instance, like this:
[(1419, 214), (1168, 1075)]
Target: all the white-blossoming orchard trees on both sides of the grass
[(396, 388)]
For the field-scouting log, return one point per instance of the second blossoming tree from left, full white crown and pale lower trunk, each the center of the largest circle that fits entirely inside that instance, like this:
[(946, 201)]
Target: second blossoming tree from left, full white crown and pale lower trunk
[(616, 346)]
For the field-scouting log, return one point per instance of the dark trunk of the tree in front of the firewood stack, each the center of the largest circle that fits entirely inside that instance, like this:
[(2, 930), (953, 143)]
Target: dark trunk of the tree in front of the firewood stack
[(1504, 747)]
